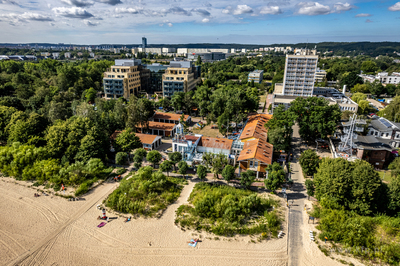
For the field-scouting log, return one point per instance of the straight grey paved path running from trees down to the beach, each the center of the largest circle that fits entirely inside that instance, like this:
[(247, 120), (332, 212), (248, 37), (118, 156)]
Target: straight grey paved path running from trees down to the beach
[(297, 196)]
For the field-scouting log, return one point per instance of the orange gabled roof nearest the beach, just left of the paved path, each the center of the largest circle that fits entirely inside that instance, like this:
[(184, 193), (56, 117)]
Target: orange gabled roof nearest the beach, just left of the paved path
[(258, 149)]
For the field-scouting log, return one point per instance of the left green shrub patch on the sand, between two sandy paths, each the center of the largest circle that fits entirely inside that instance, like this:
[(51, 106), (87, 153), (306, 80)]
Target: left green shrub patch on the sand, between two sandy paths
[(146, 192)]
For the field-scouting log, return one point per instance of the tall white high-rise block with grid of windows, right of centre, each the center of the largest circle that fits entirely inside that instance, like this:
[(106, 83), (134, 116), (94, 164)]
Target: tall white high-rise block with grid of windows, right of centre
[(299, 75)]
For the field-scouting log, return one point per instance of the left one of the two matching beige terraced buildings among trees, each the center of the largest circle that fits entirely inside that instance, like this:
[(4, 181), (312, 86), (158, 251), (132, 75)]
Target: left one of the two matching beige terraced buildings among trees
[(122, 79)]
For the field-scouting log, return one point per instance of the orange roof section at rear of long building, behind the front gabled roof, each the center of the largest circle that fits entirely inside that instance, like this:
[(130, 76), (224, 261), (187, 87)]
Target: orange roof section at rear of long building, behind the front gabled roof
[(255, 127)]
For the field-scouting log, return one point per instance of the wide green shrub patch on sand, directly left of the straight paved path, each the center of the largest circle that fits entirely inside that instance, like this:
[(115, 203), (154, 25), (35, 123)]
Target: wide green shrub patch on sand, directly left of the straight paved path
[(226, 211)]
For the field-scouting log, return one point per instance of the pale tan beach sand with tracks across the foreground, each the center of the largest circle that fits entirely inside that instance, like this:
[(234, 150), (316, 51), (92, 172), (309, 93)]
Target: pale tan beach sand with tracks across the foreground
[(50, 230)]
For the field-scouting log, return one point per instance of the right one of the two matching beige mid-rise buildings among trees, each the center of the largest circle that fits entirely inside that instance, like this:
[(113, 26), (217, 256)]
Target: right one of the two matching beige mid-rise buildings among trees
[(180, 76)]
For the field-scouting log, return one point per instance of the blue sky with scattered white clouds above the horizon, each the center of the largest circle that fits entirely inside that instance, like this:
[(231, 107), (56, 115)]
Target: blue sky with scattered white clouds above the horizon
[(182, 21)]
